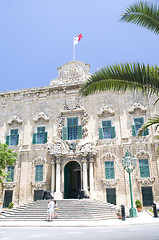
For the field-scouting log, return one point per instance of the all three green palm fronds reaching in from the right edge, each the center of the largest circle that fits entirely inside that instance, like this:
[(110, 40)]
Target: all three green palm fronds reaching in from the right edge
[(130, 76)]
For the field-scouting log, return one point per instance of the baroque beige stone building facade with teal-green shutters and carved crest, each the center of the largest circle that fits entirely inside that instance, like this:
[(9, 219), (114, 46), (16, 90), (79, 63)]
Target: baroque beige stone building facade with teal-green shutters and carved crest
[(67, 143)]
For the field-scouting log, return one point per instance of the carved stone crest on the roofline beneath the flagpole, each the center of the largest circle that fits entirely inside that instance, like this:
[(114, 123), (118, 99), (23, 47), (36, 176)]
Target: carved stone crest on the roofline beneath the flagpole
[(72, 72)]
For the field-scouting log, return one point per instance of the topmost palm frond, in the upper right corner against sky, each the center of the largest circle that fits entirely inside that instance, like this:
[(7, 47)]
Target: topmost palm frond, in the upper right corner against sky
[(143, 14)]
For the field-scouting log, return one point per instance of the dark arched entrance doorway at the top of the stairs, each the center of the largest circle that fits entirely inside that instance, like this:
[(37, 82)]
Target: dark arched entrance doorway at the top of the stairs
[(72, 180)]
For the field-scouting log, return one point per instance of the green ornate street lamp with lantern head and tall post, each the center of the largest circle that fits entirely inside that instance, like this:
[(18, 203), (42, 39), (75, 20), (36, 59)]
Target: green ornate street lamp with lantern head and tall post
[(129, 163)]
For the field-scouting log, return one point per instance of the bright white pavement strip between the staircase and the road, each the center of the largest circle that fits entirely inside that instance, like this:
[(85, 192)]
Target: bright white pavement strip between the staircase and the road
[(142, 218)]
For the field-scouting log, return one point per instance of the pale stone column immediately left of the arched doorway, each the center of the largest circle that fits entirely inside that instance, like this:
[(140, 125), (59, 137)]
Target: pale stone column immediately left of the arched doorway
[(58, 194)]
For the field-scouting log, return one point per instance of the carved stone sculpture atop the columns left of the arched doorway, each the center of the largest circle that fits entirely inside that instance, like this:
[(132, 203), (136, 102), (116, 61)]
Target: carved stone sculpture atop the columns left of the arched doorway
[(57, 147)]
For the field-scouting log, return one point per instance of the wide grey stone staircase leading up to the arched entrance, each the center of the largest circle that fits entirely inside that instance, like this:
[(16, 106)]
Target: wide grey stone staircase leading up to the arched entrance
[(69, 209)]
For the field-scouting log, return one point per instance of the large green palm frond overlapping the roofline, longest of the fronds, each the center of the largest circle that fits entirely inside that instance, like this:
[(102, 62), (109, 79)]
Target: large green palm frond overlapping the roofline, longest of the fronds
[(122, 77)]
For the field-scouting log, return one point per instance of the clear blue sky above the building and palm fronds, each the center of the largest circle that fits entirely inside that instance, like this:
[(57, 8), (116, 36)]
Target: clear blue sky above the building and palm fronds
[(37, 36)]
